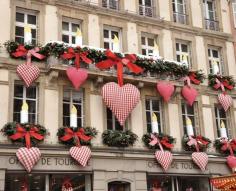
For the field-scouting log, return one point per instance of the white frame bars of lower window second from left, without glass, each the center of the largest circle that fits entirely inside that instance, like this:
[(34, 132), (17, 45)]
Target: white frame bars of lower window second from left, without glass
[(71, 103)]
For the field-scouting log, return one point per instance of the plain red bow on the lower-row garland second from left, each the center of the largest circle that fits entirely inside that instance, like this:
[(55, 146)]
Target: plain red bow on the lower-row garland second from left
[(77, 135)]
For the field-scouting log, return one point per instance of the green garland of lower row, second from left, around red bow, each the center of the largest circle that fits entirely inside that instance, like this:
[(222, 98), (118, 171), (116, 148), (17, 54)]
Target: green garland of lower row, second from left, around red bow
[(89, 131)]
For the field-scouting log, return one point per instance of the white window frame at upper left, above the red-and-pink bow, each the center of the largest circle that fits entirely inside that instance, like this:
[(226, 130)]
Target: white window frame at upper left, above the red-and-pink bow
[(25, 23)]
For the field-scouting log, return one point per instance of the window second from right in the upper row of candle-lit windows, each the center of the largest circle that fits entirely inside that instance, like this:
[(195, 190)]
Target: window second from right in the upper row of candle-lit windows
[(183, 53)]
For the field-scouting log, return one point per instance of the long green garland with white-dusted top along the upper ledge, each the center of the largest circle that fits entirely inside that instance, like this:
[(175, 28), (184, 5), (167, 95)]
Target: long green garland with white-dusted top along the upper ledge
[(159, 66)]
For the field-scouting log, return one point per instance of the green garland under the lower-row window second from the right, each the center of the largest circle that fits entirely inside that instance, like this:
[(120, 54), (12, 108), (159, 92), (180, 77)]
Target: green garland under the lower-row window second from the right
[(202, 147)]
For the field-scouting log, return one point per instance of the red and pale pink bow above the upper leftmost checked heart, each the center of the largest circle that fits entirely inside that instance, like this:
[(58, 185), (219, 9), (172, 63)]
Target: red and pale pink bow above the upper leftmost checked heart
[(21, 51)]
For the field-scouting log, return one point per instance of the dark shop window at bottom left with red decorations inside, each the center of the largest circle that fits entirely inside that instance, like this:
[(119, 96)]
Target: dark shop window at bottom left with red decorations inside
[(47, 182)]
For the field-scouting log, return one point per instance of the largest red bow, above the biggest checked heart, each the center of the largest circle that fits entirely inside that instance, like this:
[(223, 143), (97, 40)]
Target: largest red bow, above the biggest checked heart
[(113, 59)]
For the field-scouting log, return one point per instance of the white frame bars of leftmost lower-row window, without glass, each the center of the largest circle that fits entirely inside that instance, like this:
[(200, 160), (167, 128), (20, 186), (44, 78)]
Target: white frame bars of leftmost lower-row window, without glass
[(24, 98)]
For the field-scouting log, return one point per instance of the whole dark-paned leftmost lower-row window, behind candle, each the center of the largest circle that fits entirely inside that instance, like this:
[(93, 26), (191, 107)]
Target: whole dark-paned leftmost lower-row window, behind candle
[(30, 96)]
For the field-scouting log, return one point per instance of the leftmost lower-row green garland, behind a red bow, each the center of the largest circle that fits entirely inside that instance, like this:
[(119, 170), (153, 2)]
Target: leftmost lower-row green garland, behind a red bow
[(10, 129)]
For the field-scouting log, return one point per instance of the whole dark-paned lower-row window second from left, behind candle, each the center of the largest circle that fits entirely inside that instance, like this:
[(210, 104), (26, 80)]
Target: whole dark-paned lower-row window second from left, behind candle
[(70, 98)]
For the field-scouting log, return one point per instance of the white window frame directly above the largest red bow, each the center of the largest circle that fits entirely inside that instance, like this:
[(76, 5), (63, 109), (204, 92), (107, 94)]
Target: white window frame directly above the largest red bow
[(109, 40)]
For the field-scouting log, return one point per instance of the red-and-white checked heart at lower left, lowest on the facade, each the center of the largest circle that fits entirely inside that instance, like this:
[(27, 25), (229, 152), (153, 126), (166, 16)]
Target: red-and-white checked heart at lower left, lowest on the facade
[(28, 157)]
